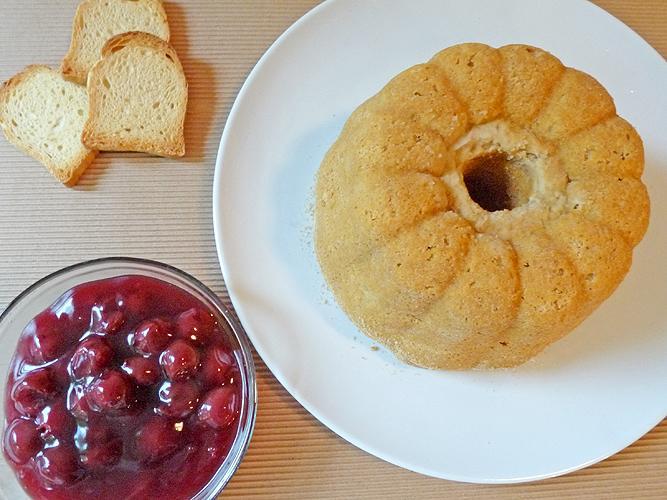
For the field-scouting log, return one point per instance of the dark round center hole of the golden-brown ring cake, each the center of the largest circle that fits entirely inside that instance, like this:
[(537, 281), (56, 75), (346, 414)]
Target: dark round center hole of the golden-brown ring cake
[(496, 183)]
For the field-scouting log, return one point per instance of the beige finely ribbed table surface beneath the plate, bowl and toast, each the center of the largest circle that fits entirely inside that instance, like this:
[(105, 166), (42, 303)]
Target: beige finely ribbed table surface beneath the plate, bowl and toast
[(134, 205)]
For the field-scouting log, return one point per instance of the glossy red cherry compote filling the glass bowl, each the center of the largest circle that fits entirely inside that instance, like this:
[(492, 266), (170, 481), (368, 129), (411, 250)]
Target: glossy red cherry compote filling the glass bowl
[(124, 388)]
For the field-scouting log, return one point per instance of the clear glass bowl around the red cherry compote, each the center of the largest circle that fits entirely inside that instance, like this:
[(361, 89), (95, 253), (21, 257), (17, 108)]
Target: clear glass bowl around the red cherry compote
[(44, 292)]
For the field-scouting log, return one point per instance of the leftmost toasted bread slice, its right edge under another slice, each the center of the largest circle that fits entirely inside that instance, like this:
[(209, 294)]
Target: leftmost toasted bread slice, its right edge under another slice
[(43, 114)]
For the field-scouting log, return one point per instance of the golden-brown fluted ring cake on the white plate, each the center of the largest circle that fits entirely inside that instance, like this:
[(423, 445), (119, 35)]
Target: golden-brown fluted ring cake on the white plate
[(479, 207)]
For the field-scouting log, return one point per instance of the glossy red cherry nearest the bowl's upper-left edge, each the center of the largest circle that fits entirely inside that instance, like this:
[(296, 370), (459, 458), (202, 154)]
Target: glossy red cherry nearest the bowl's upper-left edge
[(47, 339)]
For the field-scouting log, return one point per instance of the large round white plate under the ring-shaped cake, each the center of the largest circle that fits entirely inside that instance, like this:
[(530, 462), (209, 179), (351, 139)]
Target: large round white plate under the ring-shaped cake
[(584, 399)]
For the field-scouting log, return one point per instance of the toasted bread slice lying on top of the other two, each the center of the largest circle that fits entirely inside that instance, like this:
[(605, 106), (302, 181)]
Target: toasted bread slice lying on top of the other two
[(138, 96)]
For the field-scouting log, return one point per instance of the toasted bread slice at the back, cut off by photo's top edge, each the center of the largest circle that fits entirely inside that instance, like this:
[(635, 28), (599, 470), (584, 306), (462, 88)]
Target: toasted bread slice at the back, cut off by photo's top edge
[(98, 20)]
